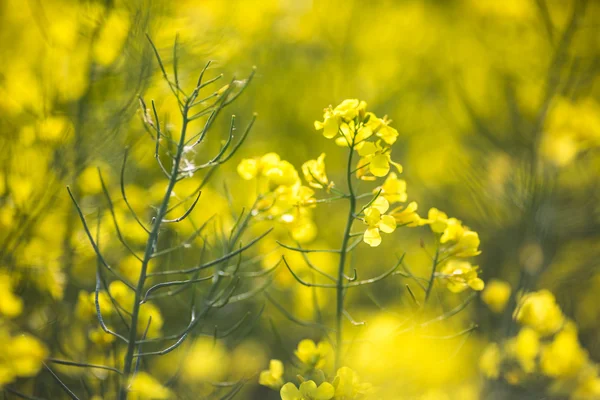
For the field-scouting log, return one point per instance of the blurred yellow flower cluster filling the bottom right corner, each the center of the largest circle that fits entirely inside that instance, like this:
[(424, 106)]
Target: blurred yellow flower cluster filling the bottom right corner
[(546, 347)]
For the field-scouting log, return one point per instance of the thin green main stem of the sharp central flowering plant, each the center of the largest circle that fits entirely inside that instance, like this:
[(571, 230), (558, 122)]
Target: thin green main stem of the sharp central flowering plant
[(342, 264)]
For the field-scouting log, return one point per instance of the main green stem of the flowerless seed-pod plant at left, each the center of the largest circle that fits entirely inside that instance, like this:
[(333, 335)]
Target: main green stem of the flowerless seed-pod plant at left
[(150, 249)]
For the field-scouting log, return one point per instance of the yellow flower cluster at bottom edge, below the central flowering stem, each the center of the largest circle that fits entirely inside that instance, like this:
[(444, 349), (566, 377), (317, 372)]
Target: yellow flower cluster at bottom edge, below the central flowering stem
[(345, 385)]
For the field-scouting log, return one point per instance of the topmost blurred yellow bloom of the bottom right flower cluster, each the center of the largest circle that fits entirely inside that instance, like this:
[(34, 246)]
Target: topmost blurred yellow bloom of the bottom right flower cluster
[(539, 311)]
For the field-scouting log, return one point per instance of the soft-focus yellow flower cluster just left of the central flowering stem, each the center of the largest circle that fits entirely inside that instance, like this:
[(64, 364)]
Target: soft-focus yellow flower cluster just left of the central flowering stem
[(282, 195)]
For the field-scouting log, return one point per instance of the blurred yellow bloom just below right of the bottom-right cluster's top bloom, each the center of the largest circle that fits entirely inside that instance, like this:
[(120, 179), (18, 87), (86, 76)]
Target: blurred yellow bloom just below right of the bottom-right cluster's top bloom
[(564, 357)]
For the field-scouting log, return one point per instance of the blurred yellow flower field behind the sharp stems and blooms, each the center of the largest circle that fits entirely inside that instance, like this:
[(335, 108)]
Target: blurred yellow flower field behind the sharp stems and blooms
[(497, 108)]
